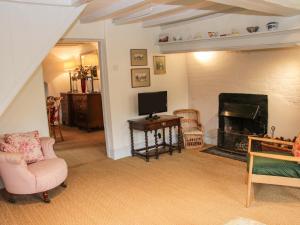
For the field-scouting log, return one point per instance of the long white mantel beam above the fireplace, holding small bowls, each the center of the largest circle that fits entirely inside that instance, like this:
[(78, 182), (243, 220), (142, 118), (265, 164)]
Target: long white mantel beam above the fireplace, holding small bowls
[(259, 40)]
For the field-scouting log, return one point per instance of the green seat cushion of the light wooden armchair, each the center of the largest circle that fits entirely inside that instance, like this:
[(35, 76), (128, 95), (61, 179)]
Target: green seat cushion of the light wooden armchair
[(275, 167)]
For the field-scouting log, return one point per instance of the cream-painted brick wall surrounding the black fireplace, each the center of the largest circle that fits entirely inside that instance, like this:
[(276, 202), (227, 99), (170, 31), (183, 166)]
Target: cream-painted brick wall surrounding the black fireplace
[(272, 72)]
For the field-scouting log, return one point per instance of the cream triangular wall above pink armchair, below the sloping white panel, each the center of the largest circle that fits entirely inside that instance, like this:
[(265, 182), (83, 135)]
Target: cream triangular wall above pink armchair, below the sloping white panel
[(28, 110)]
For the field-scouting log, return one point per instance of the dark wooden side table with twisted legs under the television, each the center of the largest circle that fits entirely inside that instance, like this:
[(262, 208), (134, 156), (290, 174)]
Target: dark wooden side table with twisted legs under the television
[(164, 122)]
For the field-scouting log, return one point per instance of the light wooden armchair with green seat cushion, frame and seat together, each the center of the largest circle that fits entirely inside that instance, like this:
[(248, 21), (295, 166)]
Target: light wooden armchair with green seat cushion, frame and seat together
[(271, 168)]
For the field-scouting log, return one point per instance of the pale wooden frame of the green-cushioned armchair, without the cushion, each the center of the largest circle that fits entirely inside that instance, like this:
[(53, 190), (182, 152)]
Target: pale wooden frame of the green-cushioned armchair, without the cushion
[(265, 179)]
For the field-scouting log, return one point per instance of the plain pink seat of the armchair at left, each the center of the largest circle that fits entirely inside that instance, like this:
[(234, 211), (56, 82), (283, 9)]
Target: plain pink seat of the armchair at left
[(49, 173)]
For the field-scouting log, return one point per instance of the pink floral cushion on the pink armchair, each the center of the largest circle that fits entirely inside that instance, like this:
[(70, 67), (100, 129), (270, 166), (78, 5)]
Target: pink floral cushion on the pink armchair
[(27, 143)]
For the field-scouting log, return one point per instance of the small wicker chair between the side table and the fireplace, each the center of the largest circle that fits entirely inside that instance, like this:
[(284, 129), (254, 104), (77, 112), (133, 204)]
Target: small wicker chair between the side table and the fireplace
[(192, 130)]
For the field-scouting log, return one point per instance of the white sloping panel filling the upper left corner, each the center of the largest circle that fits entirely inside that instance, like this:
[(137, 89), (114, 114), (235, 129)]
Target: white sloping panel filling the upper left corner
[(28, 33)]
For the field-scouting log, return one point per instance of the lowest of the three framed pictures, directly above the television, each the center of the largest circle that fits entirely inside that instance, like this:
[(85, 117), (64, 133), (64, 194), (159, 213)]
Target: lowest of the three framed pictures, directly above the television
[(140, 77)]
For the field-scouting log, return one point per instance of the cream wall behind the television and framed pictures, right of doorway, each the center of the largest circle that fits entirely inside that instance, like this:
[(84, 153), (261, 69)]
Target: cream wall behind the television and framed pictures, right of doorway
[(123, 98)]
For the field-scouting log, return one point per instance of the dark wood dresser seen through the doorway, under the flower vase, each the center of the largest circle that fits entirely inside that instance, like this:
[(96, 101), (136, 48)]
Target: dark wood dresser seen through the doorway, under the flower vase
[(82, 110)]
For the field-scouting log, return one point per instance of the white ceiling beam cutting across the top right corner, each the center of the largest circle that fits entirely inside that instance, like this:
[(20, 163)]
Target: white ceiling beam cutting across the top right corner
[(277, 7)]
